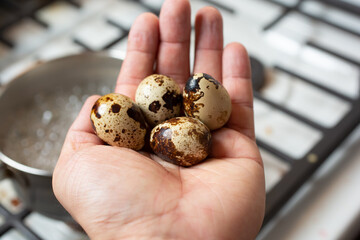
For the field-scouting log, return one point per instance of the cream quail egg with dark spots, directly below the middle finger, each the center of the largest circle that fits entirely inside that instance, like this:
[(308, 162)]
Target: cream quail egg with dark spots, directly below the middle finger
[(159, 98)]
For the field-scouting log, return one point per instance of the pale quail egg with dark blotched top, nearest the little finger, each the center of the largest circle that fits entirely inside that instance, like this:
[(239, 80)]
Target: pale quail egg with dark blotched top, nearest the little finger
[(206, 99)]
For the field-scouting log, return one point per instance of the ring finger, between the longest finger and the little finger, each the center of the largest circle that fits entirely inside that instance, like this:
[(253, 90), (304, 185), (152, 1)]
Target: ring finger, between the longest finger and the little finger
[(209, 42)]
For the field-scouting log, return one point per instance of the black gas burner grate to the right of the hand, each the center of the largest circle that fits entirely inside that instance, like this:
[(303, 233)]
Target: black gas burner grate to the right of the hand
[(302, 169)]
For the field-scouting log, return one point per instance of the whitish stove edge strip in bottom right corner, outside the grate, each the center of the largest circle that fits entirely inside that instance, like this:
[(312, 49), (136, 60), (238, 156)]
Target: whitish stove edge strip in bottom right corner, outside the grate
[(328, 206)]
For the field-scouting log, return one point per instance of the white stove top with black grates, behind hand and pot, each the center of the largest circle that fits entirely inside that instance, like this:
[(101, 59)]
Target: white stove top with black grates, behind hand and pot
[(306, 77)]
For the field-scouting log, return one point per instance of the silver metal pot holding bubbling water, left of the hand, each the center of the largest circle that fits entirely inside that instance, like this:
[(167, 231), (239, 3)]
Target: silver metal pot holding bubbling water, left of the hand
[(34, 185)]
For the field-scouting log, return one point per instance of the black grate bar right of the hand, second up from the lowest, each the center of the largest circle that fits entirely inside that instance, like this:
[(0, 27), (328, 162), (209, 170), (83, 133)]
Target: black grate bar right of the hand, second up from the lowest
[(290, 113)]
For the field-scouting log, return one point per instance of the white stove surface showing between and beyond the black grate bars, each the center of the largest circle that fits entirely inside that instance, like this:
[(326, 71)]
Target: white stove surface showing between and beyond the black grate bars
[(328, 206)]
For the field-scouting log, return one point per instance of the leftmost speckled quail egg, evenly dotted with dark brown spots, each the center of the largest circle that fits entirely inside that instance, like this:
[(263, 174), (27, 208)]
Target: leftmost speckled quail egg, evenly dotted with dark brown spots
[(118, 121)]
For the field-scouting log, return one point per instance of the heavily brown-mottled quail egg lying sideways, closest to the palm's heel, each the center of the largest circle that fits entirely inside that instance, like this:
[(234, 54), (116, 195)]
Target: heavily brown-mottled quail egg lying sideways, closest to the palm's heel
[(183, 141)]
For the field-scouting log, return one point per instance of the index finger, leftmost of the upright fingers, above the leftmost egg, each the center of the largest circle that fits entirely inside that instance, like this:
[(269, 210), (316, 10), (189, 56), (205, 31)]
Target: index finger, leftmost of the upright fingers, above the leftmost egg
[(141, 54)]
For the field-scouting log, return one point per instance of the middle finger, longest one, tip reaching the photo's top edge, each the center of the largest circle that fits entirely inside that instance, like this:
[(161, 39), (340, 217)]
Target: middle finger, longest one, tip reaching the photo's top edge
[(173, 55)]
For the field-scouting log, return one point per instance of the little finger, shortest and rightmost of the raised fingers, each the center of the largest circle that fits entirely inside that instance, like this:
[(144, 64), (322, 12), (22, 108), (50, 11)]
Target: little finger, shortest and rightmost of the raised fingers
[(237, 81)]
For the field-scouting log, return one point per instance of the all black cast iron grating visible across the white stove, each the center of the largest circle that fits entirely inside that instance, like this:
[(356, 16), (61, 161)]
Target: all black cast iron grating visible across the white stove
[(301, 169)]
